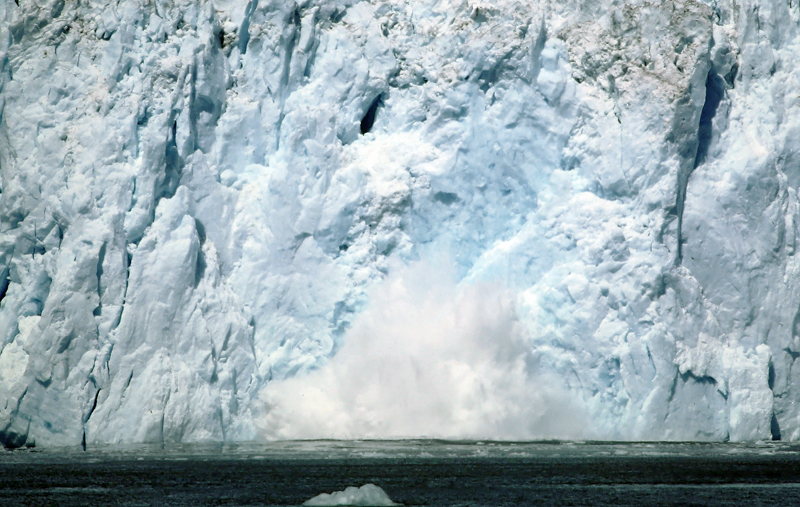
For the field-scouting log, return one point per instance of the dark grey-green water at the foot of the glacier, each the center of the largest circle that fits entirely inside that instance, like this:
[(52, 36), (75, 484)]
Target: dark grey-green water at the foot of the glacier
[(423, 472)]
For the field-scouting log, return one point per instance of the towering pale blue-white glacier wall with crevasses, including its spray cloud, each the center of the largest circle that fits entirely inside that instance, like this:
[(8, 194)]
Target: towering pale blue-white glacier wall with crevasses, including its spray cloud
[(259, 219)]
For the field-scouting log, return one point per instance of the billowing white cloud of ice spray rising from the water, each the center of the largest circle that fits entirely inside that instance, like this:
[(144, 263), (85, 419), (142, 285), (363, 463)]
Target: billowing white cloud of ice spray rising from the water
[(427, 358)]
